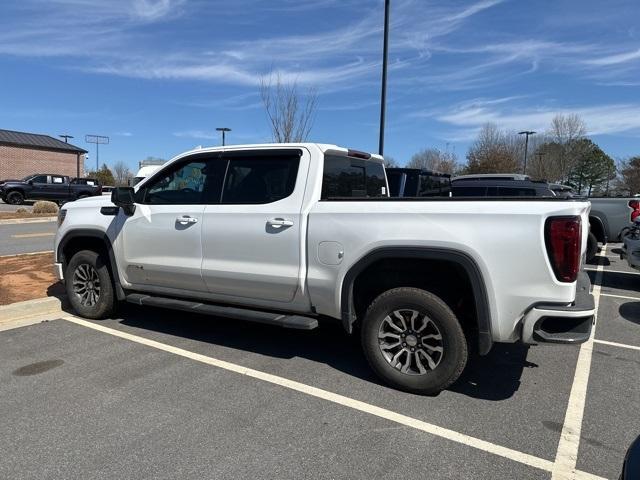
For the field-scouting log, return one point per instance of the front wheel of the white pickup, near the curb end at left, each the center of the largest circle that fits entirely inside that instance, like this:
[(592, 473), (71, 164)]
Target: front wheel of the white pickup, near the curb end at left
[(89, 285)]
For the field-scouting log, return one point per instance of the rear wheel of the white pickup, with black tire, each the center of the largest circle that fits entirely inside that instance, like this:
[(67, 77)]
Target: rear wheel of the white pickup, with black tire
[(413, 341)]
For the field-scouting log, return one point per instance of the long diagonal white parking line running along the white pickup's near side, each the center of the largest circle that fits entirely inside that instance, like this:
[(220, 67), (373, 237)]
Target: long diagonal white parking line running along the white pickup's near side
[(441, 432)]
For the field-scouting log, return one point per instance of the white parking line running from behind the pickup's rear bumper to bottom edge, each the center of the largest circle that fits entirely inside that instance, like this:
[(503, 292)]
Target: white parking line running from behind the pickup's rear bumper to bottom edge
[(564, 466)]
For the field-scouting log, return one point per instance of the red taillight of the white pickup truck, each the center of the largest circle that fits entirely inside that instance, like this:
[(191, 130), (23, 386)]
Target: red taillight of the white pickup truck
[(563, 237)]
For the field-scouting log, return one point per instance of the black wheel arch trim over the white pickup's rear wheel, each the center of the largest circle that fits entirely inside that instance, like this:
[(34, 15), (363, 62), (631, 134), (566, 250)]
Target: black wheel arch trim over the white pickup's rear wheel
[(483, 312)]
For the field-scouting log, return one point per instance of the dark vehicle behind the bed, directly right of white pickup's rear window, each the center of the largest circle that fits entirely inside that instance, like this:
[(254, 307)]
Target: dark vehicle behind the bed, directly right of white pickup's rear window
[(416, 182)]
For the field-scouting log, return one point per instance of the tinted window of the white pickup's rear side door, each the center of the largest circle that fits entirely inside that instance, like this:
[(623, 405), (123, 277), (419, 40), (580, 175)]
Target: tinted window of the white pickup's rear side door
[(265, 179)]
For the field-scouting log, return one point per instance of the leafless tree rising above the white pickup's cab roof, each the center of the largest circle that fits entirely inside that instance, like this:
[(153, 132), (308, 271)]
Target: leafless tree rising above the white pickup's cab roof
[(290, 118)]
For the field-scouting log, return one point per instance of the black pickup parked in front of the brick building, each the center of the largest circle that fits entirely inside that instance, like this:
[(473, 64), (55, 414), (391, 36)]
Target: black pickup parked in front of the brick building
[(45, 186)]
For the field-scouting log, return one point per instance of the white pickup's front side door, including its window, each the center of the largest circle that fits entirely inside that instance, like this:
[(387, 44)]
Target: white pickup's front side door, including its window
[(162, 241)]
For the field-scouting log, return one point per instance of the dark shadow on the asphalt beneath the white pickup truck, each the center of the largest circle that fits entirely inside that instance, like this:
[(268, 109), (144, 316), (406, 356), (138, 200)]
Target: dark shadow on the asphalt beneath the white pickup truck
[(493, 377)]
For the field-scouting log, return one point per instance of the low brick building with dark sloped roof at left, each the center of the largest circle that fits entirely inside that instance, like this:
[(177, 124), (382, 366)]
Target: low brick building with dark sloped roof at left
[(22, 154)]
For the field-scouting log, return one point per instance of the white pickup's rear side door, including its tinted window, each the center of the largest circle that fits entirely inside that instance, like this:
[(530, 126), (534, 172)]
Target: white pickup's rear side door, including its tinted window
[(252, 239)]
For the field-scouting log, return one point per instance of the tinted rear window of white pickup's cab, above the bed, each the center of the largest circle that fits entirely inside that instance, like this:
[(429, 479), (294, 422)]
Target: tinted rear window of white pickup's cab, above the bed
[(351, 177)]
